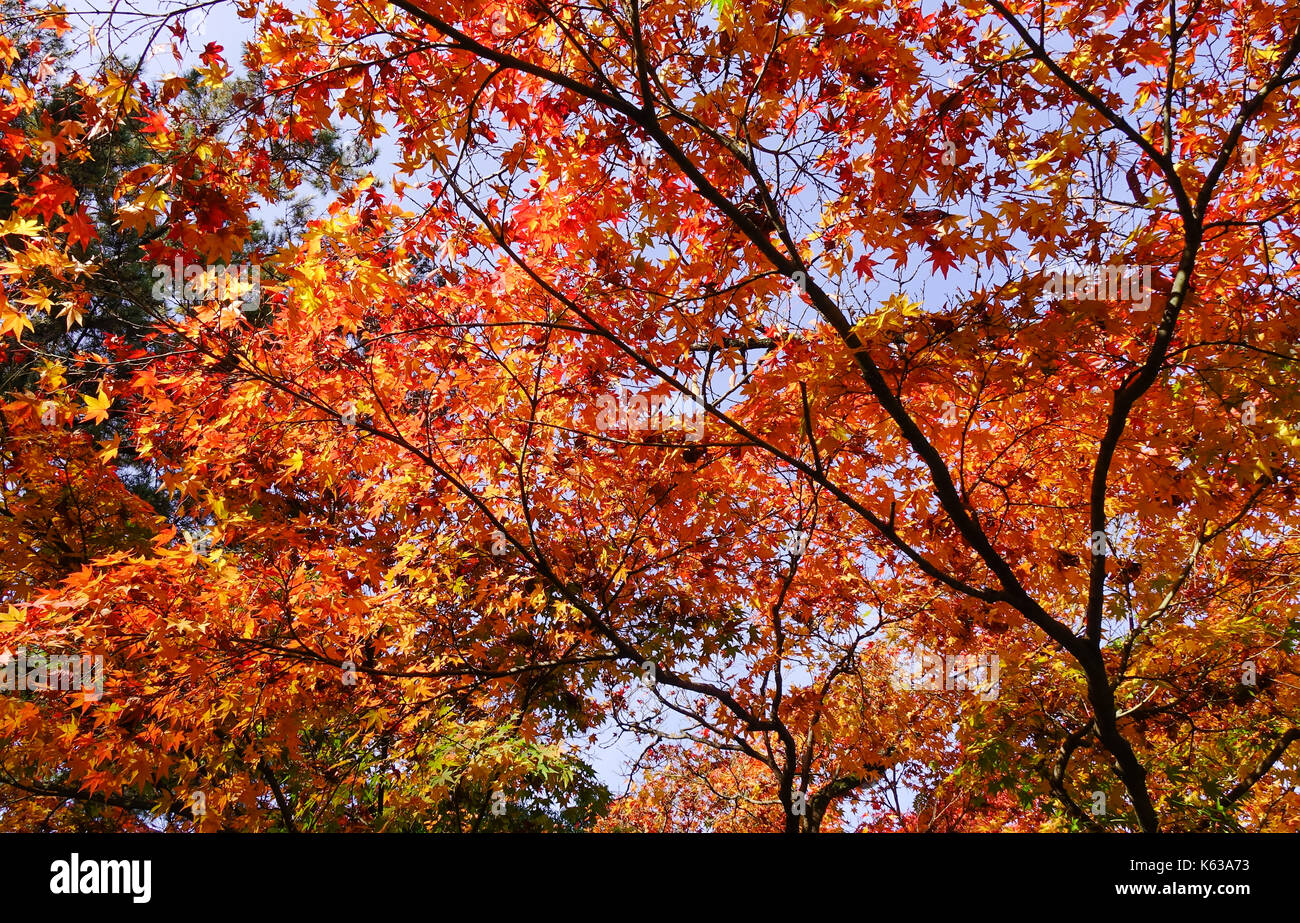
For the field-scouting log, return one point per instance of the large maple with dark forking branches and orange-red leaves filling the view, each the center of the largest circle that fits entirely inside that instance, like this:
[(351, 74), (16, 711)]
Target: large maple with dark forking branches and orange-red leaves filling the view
[(697, 367)]
